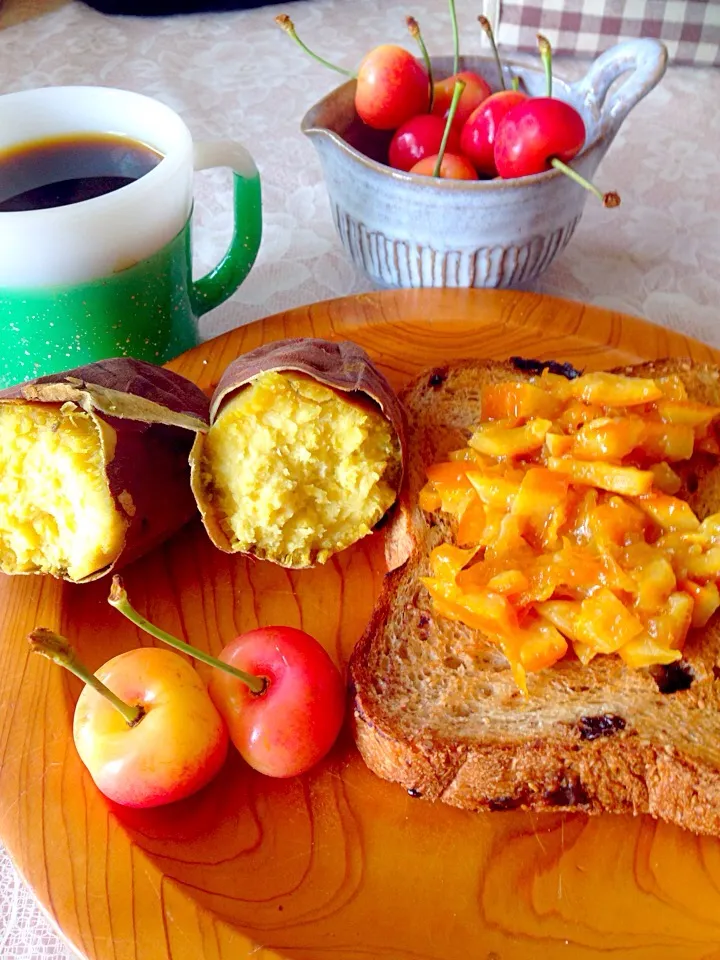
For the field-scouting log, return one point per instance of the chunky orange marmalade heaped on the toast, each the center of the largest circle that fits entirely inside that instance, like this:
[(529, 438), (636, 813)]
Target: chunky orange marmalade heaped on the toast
[(568, 530)]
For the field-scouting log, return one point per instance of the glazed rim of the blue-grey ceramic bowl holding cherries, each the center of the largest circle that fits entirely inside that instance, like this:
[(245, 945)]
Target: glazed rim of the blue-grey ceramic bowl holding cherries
[(441, 183)]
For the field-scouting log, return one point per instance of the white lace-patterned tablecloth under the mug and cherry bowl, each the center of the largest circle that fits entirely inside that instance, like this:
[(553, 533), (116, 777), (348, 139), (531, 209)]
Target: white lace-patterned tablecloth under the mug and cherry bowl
[(234, 75)]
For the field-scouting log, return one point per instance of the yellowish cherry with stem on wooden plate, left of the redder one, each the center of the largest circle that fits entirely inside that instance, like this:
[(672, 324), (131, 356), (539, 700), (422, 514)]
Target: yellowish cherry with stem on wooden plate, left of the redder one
[(144, 724)]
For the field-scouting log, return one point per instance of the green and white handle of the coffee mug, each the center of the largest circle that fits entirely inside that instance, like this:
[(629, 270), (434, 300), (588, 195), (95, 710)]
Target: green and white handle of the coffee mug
[(220, 283)]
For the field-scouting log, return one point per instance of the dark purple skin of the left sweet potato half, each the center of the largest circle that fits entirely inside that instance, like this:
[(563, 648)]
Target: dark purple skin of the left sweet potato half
[(148, 473)]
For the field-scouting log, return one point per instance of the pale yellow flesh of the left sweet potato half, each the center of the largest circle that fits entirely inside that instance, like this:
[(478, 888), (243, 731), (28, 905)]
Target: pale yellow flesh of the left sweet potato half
[(57, 514)]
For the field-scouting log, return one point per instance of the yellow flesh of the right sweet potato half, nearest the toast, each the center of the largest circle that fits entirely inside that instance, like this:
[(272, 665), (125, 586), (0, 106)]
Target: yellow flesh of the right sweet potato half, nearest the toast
[(296, 470)]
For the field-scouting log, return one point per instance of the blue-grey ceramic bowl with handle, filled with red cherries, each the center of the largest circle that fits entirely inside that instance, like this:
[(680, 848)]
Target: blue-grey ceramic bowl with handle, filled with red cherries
[(464, 171)]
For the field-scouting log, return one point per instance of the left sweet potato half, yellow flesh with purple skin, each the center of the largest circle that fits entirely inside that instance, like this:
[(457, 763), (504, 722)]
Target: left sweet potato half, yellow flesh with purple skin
[(94, 466)]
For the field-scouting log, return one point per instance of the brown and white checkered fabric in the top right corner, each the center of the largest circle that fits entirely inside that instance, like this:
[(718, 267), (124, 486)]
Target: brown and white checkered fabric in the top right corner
[(689, 28)]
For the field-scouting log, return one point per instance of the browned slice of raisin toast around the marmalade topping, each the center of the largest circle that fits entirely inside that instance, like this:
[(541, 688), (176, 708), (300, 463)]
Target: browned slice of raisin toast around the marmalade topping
[(436, 708)]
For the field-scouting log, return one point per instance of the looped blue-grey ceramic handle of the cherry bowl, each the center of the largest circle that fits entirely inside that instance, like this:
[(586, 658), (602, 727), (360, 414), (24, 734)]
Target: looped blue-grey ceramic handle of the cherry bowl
[(647, 59)]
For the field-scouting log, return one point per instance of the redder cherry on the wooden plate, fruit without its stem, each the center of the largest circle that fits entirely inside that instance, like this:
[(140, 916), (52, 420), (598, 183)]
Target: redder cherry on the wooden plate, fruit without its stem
[(293, 723)]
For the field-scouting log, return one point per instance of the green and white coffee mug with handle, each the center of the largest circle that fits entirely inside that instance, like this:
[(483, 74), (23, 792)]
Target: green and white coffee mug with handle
[(112, 275)]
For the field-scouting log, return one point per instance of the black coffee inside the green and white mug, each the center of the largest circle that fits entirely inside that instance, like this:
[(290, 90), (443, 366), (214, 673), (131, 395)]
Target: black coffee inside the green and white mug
[(62, 170)]
